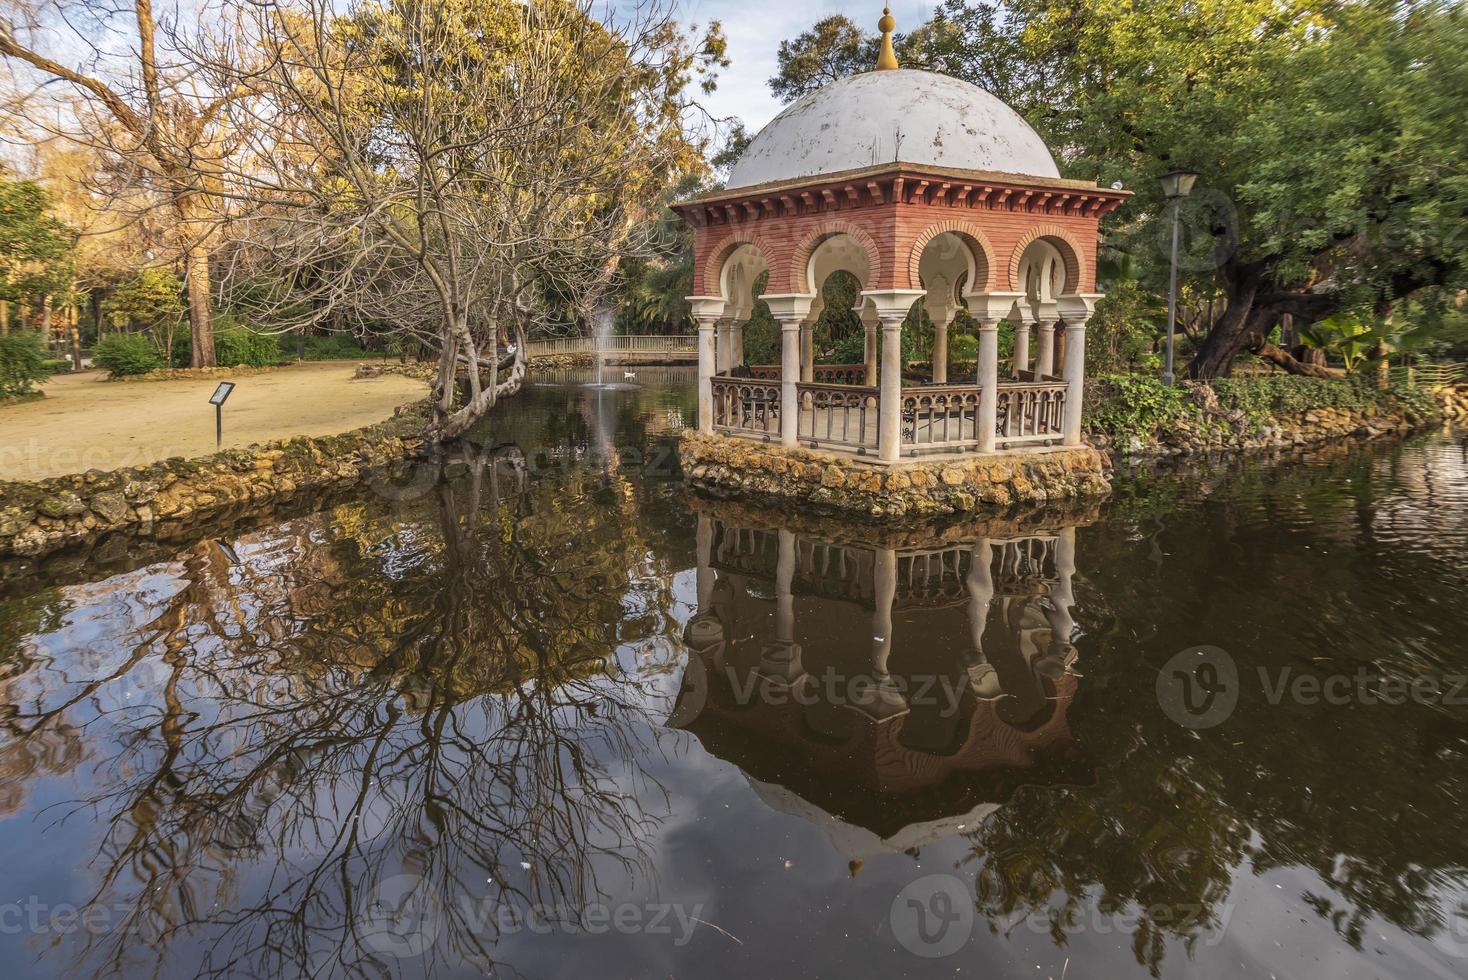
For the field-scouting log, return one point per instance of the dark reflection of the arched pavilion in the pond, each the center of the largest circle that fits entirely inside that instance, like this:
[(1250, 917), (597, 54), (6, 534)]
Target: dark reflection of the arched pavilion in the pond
[(889, 690)]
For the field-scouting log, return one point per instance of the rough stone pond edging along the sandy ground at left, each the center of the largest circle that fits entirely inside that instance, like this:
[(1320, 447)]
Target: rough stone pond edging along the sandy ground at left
[(45, 517)]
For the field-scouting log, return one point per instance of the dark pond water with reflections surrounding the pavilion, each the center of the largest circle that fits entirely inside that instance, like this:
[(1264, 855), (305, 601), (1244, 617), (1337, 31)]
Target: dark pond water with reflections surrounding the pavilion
[(554, 718)]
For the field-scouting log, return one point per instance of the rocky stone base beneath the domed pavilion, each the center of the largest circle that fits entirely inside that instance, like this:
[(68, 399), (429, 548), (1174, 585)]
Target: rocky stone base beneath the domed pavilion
[(839, 485)]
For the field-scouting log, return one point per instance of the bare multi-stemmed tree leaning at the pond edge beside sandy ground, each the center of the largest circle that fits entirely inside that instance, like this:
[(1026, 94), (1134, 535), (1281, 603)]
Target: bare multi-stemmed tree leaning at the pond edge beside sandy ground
[(456, 174)]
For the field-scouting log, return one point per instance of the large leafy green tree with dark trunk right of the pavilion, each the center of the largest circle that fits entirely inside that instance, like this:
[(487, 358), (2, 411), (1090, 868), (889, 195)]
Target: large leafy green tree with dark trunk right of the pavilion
[(1331, 145)]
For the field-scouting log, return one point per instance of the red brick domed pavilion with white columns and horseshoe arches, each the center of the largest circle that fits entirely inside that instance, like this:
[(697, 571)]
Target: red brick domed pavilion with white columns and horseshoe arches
[(929, 191)]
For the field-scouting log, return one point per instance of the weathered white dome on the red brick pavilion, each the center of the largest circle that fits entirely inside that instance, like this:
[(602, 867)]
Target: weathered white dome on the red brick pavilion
[(904, 115)]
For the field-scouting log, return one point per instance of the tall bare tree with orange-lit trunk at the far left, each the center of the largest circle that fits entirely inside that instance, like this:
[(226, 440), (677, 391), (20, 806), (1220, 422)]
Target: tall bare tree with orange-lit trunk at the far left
[(152, 118)]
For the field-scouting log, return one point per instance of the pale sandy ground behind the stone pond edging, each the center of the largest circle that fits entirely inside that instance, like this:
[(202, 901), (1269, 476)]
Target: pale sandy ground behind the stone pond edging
[(86, 423)]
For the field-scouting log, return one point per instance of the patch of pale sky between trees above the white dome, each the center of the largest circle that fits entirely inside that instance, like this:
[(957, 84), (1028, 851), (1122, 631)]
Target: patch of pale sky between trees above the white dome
[(755, 30)]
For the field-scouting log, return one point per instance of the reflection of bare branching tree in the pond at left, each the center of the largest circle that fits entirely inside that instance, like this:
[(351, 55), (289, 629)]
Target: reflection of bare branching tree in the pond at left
[(321, 718)]
